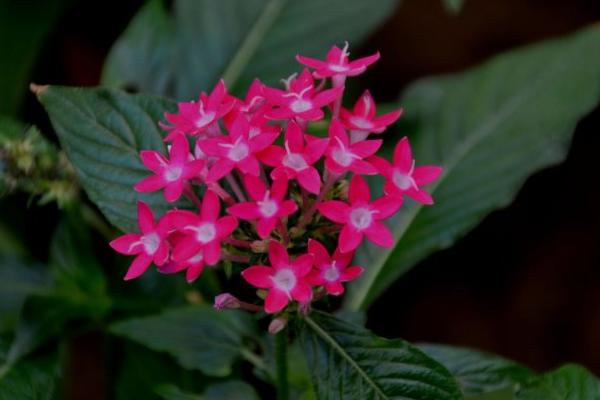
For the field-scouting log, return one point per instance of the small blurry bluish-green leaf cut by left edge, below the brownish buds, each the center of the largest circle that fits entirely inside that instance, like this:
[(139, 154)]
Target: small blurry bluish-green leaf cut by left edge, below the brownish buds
[(17, 281)]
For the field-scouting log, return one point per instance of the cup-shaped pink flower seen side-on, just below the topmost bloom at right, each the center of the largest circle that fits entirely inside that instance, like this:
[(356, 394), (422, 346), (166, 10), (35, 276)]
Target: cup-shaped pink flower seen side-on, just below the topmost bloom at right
[(363, 118)]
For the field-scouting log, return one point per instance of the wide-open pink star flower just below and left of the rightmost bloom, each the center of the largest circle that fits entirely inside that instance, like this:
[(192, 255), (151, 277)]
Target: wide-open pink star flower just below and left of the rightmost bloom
[(361, 217)]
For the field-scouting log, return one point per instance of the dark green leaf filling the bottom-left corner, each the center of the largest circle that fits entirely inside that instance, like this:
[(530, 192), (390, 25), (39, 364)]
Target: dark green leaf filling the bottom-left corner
[(29, 380)]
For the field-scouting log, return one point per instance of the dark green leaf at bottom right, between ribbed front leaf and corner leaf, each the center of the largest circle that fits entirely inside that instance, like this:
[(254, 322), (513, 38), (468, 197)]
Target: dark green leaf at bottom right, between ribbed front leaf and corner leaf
[(479, 373)]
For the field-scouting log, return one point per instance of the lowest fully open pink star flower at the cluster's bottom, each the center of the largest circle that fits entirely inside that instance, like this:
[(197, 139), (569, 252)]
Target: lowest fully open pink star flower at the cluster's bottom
[(284, 280)]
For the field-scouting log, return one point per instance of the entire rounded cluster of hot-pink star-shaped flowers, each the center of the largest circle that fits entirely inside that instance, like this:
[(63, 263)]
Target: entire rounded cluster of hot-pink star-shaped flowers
[(271, 194)]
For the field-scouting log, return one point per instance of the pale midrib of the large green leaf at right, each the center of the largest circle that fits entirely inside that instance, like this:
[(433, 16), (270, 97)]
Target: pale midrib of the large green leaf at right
[(360, 301)]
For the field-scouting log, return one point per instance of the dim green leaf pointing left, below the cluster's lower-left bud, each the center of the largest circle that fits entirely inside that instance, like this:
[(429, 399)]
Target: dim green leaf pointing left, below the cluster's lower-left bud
[(197, 336)]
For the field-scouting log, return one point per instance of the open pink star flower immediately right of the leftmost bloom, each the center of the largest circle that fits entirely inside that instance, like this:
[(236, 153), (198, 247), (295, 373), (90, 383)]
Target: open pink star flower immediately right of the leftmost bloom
[(203, 232)]
